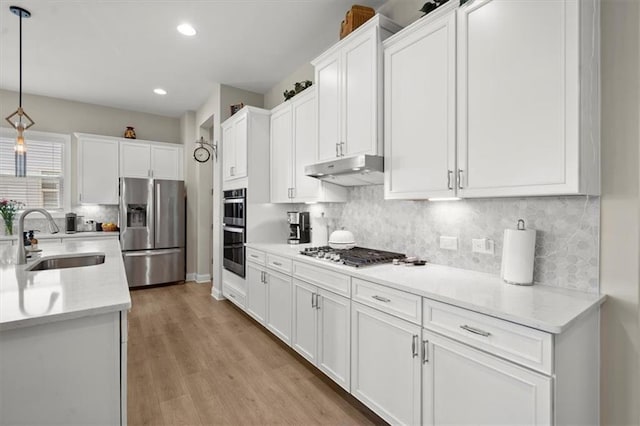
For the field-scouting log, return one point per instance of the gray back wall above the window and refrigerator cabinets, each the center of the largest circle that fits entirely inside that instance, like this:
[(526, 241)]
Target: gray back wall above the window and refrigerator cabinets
[(63, 116)]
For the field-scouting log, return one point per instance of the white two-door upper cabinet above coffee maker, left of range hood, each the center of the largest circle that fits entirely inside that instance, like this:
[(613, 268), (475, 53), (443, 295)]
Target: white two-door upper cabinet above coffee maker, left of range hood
[(294, 146)]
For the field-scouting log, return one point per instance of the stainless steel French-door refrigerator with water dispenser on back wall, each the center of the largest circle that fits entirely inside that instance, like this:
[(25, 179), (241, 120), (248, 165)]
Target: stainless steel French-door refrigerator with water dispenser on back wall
[(152, 230)]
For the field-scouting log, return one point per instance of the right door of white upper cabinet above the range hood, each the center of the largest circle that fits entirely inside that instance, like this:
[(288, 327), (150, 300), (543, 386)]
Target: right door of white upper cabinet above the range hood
[(360, 62)]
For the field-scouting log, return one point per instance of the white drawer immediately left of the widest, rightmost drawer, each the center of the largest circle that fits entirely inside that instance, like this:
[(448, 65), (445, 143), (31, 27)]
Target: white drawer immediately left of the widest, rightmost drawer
[(395, 302)]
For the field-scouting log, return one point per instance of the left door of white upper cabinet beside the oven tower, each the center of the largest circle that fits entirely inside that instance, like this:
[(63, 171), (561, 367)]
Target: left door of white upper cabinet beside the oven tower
[(281, 155)]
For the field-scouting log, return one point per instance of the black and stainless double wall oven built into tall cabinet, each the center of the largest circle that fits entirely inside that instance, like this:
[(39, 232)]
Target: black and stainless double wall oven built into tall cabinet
[(234, 230)]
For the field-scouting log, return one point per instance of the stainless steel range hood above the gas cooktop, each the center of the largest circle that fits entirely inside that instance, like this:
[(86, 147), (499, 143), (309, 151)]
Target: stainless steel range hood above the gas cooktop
[(350, 171)]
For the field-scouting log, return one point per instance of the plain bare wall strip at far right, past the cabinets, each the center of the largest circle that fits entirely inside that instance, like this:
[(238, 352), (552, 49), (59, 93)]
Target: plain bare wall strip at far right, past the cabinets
[(620, 213)]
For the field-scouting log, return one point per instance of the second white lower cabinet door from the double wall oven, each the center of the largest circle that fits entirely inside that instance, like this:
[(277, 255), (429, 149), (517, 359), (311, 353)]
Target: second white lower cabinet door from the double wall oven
[(279, 305)]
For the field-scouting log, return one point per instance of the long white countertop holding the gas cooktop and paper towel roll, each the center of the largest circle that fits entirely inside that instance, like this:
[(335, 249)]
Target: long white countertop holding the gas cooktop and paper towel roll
[(542, 307)]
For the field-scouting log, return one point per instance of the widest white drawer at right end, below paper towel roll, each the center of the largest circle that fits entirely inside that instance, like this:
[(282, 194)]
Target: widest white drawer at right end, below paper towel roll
[(523, 345)]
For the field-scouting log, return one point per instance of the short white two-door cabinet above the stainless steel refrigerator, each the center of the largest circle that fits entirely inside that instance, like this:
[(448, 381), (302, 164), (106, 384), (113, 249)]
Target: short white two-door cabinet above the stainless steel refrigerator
[(144, 159)]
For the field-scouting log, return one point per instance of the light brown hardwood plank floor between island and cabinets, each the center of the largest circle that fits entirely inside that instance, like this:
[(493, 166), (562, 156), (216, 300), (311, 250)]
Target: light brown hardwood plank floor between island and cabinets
[(197, 361)]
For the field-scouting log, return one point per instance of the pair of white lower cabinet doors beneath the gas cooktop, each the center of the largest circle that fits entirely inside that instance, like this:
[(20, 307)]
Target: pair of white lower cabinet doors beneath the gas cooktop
[(322, 330)]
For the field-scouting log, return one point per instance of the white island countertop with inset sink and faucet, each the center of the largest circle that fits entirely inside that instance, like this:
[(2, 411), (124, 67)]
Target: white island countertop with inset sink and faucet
[(31, 298)]
